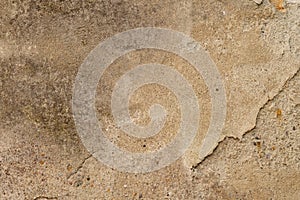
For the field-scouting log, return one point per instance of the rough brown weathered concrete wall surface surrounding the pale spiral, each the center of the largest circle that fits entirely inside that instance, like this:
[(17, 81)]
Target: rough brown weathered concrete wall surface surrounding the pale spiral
[(256, 48)]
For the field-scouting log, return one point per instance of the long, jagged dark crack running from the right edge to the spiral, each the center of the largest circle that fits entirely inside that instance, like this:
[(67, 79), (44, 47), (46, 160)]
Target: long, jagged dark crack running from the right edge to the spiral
[(255, 125)]
